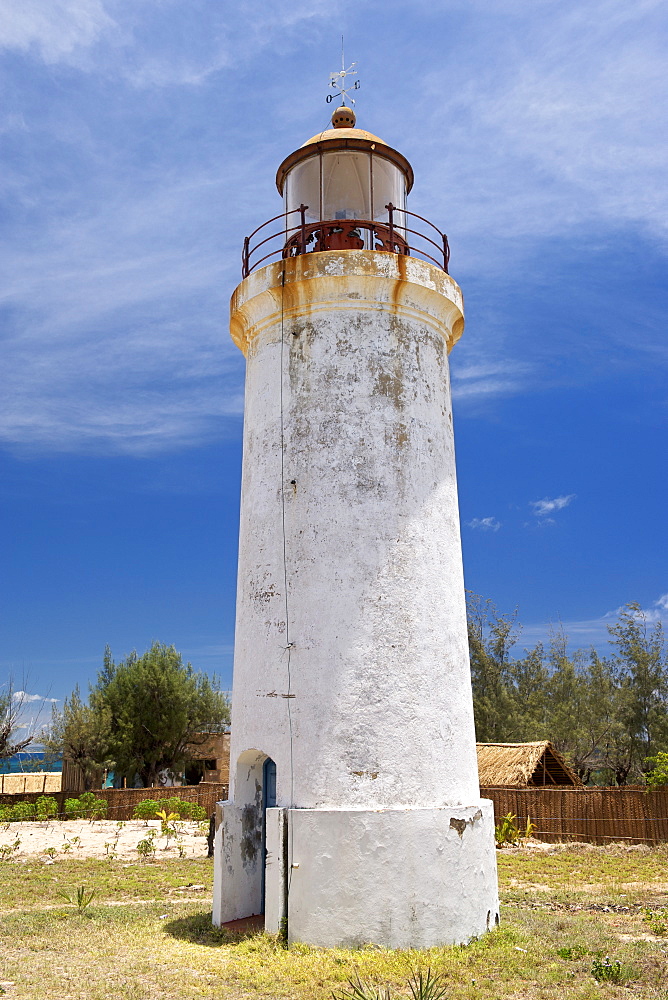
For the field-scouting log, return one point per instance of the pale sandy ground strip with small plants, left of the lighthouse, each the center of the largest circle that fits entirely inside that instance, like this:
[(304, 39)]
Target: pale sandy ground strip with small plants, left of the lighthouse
[(98, 839)]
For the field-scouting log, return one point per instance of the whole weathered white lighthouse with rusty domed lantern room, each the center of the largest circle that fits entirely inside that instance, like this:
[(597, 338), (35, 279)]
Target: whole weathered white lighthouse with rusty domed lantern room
[(354, 813)]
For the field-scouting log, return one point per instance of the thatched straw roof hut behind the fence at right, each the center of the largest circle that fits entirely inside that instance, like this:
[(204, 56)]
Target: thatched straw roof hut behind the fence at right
[(519, 765)]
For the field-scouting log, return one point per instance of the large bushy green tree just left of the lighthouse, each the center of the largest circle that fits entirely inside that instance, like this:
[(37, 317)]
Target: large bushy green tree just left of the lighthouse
[(157, 707)]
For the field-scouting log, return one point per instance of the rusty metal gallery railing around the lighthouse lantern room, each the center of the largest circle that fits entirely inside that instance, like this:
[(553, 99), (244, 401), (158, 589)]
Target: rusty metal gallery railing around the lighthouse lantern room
[(395, 235)]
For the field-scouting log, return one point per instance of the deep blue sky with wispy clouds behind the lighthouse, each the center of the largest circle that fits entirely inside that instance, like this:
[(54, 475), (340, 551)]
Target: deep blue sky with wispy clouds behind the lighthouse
[(140, 140)]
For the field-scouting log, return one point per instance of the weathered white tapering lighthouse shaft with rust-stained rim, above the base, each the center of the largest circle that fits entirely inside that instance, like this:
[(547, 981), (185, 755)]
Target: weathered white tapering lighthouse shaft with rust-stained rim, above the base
[(375, 593)]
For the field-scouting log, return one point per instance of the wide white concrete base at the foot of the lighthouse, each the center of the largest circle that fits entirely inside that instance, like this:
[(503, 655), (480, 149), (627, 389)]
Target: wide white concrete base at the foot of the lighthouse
[(398, 878)]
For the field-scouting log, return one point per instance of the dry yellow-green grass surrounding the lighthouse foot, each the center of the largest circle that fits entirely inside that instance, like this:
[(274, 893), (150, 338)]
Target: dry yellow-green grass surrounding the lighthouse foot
[(141, 939)]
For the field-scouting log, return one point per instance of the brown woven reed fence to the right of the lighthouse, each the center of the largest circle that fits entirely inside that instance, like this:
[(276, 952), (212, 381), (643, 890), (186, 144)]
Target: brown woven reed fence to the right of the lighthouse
[(594, 815)]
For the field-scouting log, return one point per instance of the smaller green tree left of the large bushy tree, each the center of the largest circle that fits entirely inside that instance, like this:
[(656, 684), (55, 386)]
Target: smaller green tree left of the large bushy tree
[(82, 734)]
